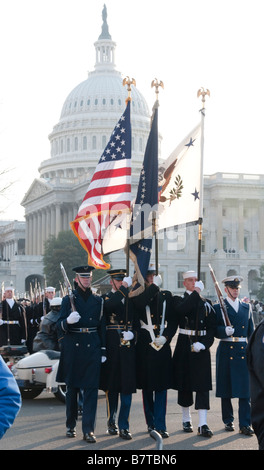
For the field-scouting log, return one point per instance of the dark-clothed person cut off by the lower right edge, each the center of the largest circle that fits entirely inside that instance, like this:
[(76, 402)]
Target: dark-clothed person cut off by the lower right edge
[(255, 360)]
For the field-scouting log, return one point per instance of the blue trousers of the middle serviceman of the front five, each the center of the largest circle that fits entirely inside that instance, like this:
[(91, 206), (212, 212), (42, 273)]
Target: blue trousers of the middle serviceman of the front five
[(155, 405)]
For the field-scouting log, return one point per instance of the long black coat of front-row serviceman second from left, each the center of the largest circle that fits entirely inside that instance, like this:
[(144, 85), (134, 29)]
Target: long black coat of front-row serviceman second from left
[(118, 373)]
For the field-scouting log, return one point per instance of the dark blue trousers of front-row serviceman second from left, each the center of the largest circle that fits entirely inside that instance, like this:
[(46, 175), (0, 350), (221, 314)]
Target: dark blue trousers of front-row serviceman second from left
[(112, 405)]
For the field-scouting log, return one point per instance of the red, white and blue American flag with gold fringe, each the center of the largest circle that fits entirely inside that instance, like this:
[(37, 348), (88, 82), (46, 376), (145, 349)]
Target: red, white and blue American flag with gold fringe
[(108, 194)]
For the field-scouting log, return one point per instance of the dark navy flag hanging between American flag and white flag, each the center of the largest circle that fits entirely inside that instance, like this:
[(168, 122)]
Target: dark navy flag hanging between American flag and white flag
[(146, 202)]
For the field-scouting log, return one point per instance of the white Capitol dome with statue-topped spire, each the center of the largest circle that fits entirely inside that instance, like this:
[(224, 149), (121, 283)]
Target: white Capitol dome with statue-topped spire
[(89, 115)]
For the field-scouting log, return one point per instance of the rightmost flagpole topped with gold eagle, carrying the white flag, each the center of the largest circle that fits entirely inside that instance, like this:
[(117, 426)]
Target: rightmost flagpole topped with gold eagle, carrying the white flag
[(201, 92)]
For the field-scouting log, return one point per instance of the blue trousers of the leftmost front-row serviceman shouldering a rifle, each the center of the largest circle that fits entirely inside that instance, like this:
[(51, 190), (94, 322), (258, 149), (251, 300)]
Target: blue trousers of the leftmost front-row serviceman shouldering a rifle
[(89, 408)]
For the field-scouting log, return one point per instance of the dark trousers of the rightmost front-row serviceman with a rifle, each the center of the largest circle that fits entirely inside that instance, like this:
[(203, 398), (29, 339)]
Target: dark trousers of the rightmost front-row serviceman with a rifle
[(244, 417)]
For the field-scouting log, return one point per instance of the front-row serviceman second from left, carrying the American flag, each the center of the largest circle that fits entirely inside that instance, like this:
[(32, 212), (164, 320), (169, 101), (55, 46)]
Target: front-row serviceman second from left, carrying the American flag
[(118, 373)]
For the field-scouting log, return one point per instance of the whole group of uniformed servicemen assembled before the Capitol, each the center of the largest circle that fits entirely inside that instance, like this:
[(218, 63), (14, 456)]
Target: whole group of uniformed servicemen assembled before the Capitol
[(120, 342)]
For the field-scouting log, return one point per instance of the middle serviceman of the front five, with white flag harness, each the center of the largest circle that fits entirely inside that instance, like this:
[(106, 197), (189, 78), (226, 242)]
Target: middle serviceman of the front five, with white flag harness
[(154, 351)]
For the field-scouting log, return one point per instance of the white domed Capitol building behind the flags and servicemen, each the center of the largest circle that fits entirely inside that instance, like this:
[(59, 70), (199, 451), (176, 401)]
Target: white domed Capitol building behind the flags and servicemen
[(233, 219)]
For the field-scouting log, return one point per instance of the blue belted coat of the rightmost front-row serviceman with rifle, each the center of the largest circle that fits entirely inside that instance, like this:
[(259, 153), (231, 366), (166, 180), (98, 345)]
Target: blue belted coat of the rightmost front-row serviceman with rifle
[(232, 378)]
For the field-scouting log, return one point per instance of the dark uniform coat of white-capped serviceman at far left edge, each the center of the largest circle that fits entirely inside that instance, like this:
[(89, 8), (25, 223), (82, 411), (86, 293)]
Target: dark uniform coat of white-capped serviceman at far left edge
[(17, 331)]
